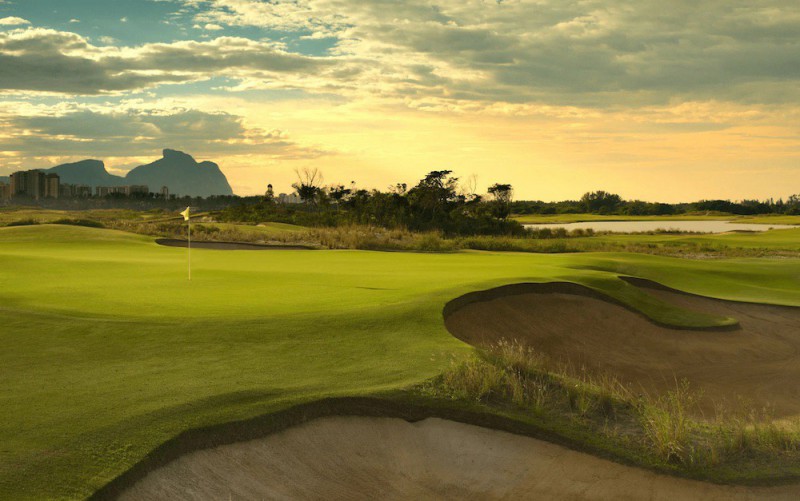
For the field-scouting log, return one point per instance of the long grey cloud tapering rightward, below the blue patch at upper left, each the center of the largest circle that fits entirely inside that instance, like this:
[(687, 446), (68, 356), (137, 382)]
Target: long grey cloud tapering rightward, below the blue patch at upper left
[(46, 60)]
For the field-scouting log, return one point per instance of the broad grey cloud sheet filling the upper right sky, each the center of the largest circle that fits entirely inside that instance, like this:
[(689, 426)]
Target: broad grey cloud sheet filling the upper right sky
[(590, 53)]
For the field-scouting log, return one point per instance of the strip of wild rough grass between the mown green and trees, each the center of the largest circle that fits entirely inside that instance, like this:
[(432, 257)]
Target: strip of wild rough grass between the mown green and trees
[(776, 243)]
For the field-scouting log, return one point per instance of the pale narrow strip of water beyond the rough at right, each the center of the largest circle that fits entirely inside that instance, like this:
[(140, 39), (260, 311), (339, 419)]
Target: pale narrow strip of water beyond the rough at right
[(643, 226)]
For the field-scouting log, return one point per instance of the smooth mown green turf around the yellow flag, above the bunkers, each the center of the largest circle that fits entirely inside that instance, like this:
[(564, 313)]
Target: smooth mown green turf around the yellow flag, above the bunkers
[(109, 350)]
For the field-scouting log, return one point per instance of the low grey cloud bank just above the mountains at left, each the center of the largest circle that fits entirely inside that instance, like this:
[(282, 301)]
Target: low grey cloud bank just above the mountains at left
[(84, 132)]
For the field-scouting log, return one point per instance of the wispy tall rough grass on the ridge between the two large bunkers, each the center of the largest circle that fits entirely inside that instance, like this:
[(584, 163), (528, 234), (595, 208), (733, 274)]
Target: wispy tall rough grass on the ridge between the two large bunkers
[(666, 429)]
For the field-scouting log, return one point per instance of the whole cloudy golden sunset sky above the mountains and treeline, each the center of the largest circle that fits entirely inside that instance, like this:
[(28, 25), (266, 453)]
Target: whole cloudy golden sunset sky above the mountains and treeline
[(659, 101)]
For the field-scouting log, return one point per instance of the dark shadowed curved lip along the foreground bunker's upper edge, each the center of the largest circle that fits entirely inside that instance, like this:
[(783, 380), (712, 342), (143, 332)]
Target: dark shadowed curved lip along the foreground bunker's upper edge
[(411, 411)]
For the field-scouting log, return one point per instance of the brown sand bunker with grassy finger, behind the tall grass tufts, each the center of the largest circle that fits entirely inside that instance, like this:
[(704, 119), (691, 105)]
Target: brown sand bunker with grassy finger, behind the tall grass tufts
[(759, 362)]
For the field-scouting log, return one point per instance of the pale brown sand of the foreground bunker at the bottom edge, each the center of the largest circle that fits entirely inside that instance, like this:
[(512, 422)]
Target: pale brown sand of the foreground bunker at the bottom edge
[(380, 458)]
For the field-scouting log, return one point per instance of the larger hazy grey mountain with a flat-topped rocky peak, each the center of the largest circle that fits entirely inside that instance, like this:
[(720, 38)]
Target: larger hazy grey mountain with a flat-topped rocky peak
[(182, 175)]
